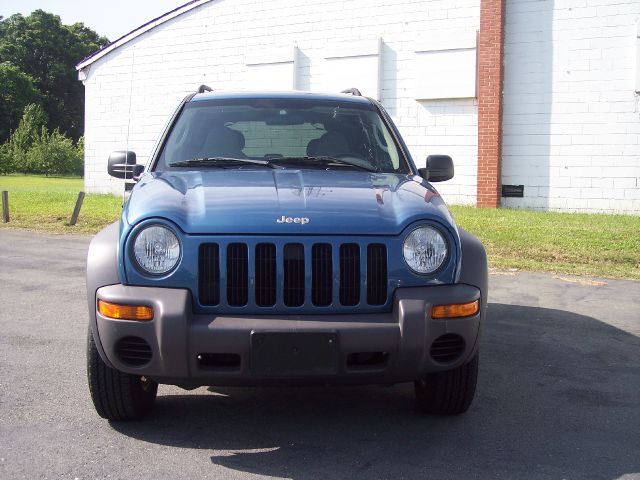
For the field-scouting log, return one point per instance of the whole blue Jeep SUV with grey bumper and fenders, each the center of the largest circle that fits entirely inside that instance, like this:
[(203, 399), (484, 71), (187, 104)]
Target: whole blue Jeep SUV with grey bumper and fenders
[(283, 239)]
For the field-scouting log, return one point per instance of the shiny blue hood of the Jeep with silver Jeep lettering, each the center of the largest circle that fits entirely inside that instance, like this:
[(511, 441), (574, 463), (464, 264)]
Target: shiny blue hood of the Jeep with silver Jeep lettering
[(272, 202)]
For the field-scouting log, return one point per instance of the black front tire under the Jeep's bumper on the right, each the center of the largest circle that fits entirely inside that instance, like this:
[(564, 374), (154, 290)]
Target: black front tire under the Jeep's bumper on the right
[(450, 392)]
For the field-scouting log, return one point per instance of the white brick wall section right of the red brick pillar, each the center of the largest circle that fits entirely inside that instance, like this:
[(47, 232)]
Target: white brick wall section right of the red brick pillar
[(571, 117)]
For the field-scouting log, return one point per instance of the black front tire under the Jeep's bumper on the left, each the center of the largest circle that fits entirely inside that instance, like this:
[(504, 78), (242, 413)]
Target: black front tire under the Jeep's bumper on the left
[(117, 395)]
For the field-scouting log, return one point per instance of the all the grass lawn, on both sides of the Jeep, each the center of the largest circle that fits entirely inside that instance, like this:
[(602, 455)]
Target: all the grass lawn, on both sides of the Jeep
[(578, 244)]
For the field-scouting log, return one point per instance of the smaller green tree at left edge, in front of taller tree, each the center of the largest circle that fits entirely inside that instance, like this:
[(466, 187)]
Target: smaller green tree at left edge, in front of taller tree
[(17, 92)]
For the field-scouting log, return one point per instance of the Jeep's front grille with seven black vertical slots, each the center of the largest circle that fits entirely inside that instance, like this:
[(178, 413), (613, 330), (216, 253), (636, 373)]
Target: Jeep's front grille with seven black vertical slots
[(292, 274)]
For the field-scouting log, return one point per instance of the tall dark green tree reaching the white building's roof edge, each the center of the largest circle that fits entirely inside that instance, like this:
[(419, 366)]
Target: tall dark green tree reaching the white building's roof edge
[(48, 51)]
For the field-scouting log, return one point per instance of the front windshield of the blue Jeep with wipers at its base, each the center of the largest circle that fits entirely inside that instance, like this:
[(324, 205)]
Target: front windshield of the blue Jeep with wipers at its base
[(282, 132)]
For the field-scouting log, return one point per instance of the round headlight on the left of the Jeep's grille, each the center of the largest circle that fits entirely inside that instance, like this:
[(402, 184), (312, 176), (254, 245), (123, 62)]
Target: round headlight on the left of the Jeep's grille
[(156, 250)]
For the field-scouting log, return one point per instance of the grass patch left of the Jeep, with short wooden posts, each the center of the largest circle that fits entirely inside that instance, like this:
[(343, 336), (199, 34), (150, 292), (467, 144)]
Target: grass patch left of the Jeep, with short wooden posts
[(46, 203)]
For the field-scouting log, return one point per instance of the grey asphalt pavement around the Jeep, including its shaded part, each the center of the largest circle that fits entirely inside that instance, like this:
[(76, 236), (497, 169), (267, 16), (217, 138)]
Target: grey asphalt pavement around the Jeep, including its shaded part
[(559, 395)]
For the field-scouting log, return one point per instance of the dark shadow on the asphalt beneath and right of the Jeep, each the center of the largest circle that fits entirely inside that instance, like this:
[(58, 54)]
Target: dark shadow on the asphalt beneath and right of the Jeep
[(558, 397)]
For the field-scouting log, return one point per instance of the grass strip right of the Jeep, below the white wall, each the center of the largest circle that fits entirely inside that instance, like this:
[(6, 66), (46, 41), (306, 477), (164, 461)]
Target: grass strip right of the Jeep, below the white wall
[(573, 243)]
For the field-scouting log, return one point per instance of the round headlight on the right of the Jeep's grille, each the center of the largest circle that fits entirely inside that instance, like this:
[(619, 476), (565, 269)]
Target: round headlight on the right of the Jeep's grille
[(425, 249)]
